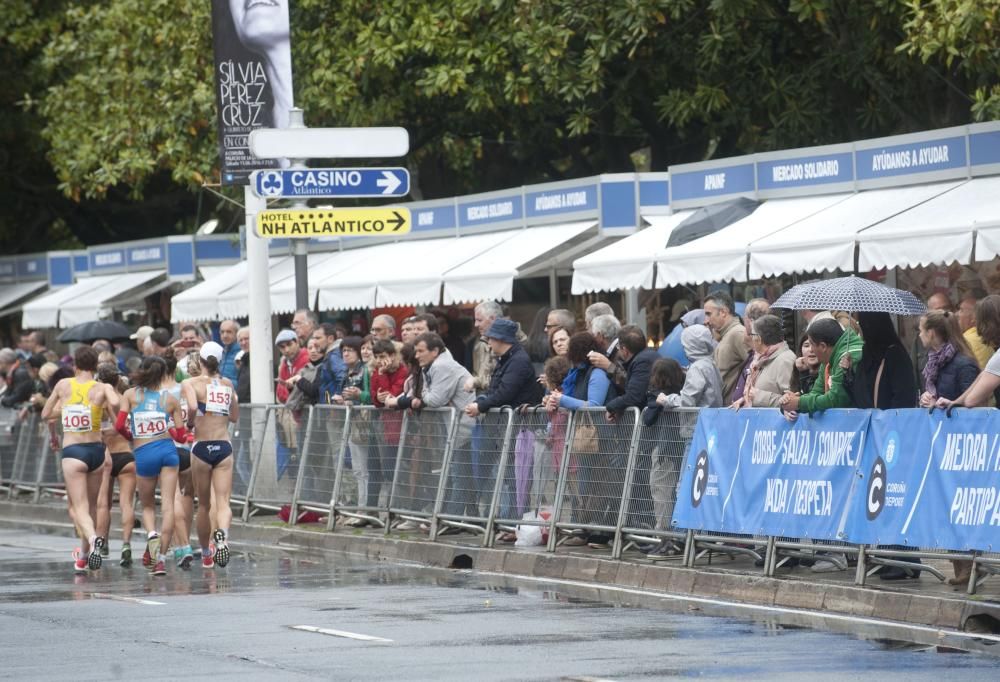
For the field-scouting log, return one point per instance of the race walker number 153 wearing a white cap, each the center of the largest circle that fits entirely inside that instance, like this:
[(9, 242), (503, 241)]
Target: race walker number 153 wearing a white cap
[(212, 399)]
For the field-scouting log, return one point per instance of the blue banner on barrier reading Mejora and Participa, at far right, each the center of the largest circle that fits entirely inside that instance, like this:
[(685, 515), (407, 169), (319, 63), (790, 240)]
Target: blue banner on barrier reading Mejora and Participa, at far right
[(930, 481)]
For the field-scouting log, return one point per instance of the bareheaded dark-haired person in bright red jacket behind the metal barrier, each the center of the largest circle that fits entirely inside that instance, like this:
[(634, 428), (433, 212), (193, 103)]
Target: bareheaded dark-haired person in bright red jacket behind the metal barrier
[(388, 379)]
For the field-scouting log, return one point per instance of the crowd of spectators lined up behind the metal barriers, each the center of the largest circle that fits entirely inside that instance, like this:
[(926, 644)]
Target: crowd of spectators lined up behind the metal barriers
[(566, 364)]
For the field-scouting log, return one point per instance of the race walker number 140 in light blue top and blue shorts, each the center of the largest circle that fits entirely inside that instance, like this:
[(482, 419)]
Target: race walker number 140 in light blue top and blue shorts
[(148, 410)]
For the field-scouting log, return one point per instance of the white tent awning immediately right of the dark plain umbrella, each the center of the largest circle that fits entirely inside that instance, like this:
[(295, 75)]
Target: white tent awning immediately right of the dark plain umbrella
[(722, 256)]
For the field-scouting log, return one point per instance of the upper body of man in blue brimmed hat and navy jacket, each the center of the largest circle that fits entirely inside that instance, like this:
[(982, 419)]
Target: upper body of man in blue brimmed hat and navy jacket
[(513, 381)]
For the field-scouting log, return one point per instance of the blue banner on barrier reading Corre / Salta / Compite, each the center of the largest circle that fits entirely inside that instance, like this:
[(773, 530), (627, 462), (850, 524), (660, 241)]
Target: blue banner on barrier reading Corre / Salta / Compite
[(751, 471)]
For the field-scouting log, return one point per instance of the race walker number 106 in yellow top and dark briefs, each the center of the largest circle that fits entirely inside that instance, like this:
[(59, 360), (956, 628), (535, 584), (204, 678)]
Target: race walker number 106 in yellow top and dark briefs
[(80, 402)]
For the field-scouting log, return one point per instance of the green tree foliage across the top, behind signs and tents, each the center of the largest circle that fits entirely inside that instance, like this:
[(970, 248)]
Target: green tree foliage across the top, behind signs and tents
[(117, 114)]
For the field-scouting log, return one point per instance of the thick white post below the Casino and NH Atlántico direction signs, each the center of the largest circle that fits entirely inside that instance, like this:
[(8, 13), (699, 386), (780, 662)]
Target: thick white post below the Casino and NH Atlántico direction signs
[(259, 291)]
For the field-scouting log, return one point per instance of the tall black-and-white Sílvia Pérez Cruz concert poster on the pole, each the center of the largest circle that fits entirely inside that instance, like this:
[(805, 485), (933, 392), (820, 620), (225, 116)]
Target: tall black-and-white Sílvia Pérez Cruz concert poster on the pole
[(253, 79)]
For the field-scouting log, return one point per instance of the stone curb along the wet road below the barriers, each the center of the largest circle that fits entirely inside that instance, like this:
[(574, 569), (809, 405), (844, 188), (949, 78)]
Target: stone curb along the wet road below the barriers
[(706, 582)]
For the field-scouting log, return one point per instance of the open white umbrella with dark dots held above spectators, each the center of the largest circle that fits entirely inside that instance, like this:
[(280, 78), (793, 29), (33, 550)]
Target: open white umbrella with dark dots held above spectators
[(851, 294)]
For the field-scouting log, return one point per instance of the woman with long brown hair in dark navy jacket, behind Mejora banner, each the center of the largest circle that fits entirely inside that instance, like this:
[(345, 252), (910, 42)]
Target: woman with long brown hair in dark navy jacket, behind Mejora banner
[(951, 367)]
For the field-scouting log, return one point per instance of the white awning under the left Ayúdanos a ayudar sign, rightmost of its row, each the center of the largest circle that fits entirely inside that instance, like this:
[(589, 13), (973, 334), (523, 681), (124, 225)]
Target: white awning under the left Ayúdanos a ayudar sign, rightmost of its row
[(491, 274)]
